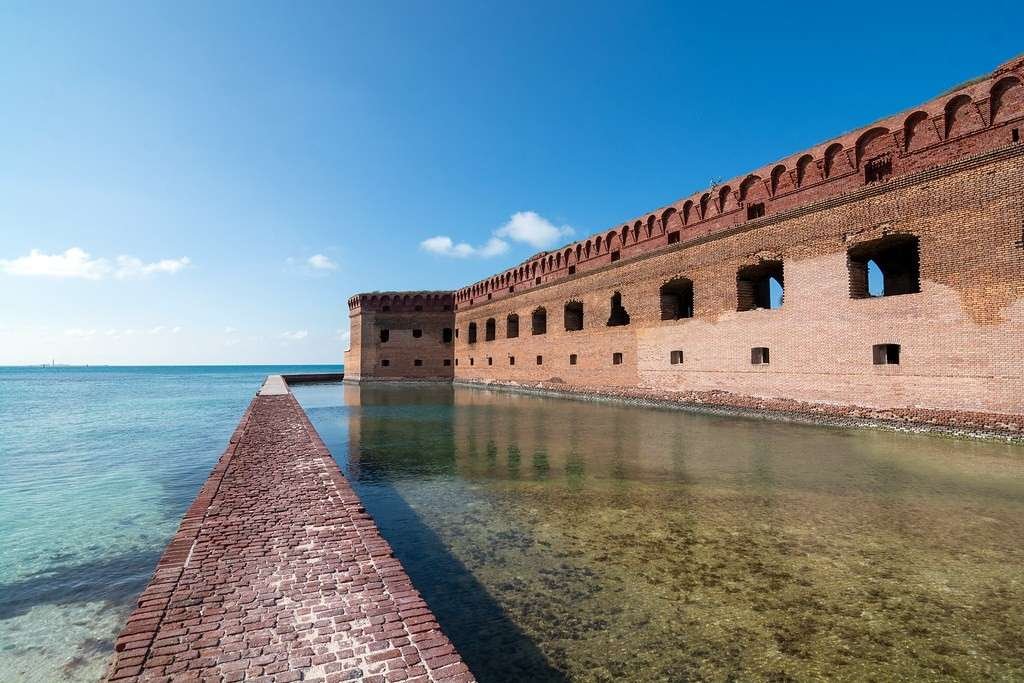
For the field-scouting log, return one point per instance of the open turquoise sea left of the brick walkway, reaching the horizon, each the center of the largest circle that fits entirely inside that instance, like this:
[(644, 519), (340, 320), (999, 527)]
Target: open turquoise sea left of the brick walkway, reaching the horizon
[(98, 465)]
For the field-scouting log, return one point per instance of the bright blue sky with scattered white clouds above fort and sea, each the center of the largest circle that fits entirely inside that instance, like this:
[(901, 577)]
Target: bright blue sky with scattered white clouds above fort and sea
[(208, 183)]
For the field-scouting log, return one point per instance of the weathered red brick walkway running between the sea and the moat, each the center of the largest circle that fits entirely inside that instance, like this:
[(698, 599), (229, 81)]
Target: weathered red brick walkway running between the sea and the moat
[(278, 574)]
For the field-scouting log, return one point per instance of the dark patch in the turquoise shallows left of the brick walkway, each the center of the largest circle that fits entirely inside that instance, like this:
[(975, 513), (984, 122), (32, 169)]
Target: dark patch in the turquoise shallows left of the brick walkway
[(115, 580)]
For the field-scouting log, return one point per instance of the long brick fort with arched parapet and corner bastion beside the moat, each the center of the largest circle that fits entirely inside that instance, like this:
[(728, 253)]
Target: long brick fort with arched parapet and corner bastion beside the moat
[(685, 300)]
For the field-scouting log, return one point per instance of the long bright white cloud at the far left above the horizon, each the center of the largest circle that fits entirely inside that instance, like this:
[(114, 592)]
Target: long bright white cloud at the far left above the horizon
[(76, 263)]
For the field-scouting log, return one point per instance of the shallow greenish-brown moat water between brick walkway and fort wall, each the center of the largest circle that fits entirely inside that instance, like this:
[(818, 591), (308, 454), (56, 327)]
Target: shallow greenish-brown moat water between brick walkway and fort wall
[(563, 540)]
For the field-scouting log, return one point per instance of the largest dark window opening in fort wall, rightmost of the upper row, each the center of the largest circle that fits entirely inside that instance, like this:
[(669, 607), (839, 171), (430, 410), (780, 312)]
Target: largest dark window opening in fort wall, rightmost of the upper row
[(893, 263)]
